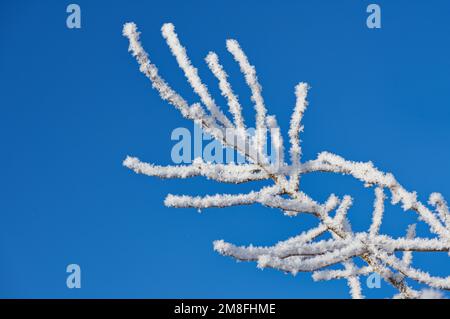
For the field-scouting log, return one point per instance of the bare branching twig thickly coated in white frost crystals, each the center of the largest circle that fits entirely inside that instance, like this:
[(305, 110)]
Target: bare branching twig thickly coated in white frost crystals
[(327, 259)]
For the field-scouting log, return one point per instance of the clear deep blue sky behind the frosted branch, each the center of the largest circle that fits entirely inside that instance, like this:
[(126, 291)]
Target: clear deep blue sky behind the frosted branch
[(73, 105)]
